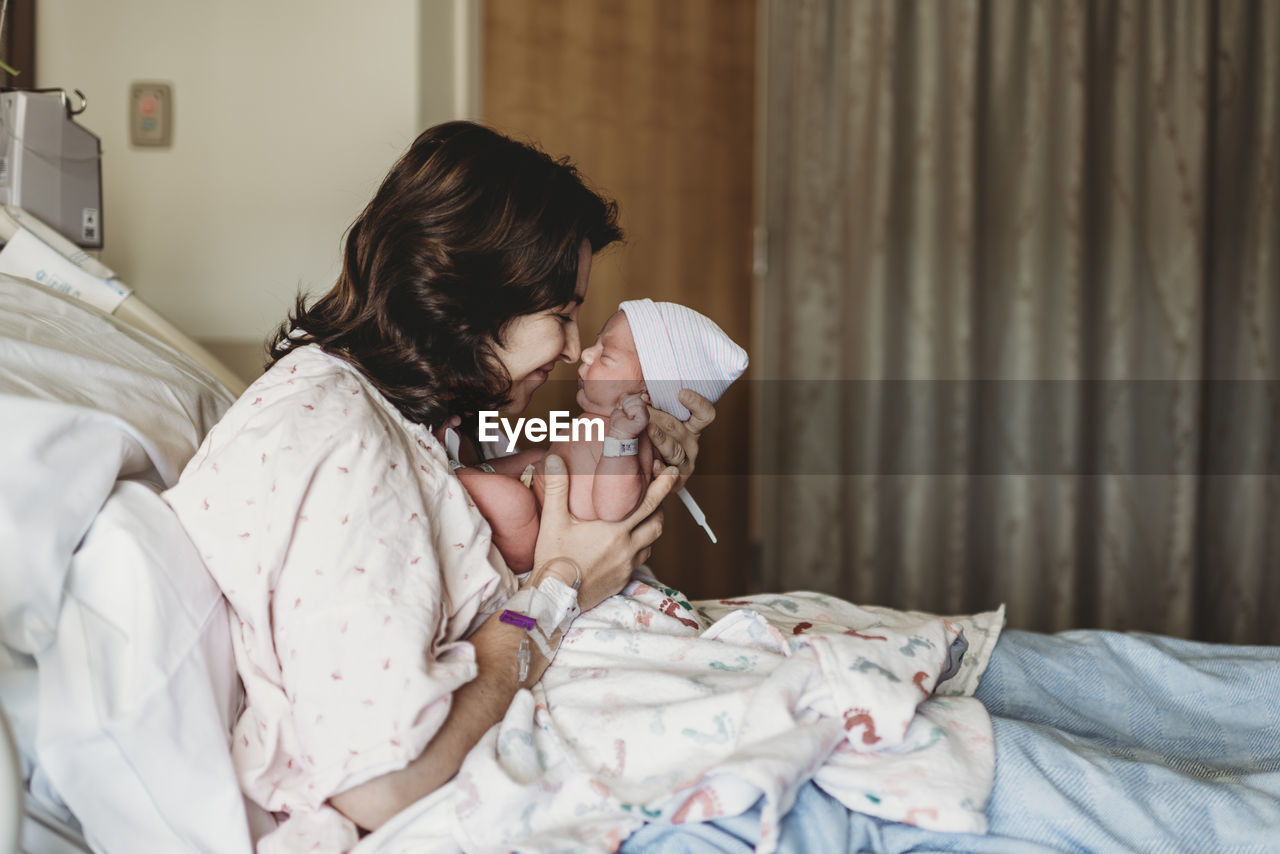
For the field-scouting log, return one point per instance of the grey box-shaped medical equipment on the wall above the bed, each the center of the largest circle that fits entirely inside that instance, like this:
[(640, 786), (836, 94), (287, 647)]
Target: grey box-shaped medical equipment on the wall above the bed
[(51, 166)]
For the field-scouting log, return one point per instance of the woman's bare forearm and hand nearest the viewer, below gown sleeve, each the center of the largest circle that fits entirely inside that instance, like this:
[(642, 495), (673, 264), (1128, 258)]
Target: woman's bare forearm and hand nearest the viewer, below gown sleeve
[(607, 554)]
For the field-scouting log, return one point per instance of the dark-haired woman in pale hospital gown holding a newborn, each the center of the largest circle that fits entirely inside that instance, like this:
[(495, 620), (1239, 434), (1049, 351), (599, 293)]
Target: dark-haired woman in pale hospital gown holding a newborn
[(363, 582)]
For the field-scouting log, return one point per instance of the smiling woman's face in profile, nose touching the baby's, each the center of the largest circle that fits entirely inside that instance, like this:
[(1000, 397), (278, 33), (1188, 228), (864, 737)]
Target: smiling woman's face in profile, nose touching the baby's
[(533, 344)]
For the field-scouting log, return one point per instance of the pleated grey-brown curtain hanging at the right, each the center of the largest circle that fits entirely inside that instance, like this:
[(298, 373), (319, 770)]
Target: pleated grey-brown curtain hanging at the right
[(1021, 321)]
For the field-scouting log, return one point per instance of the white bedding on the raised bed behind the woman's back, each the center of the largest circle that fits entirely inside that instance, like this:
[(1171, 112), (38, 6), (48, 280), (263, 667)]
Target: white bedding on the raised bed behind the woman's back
[(116, 668)]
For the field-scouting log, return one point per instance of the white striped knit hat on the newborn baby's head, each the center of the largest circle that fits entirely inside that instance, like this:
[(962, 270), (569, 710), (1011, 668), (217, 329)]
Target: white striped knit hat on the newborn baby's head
[(682, 349)]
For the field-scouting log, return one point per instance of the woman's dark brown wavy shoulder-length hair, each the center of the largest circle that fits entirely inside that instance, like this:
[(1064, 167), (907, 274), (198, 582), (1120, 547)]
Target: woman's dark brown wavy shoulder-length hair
[(469, 231)]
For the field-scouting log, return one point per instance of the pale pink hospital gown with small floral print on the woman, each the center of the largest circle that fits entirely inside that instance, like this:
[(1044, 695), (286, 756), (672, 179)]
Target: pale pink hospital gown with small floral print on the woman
[(355, 567)]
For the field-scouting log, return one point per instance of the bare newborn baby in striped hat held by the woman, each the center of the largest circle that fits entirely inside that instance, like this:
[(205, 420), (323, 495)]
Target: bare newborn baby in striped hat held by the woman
[(646, 354)]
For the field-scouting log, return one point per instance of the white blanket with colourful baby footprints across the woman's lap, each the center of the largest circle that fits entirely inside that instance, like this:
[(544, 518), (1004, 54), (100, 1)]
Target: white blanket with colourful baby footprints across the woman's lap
[(666, 709)]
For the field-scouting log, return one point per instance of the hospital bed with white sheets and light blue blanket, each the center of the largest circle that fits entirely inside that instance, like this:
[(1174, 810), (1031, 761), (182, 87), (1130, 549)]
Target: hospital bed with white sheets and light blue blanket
[(118, 687)]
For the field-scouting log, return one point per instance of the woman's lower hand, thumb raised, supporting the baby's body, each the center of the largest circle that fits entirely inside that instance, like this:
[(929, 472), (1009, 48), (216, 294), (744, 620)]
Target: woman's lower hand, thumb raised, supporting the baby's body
[(606, 552)]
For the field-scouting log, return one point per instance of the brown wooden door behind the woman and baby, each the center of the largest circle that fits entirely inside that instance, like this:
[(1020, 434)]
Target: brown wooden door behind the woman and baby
[(655, 103)]
